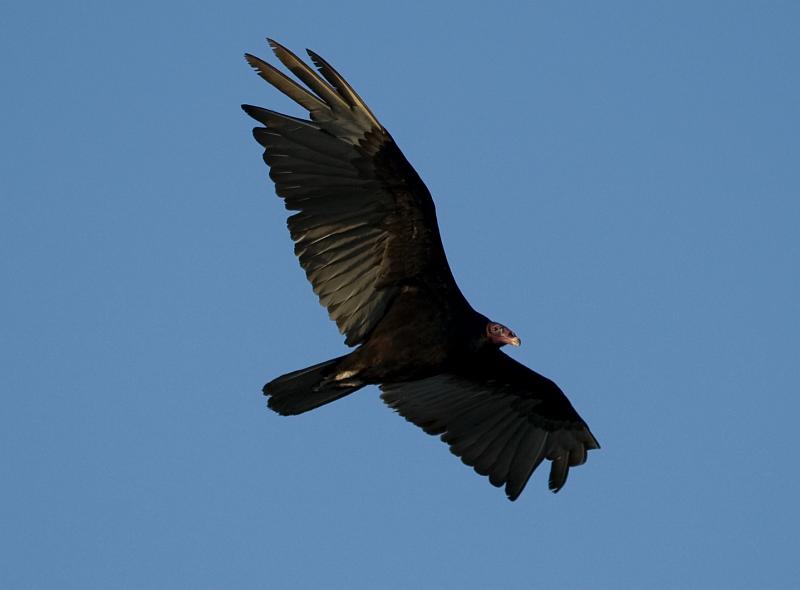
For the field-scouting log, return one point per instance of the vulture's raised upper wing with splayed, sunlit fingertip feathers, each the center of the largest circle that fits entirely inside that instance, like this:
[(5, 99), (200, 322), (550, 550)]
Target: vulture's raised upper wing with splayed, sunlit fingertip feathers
[(366, 223)]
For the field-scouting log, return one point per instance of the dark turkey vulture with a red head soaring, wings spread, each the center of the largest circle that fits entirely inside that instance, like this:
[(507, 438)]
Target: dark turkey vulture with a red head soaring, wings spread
[(366, 235)]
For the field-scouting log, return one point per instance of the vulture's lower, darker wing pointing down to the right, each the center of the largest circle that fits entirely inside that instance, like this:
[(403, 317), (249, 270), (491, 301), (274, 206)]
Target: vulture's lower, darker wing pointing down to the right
[(500, 417)]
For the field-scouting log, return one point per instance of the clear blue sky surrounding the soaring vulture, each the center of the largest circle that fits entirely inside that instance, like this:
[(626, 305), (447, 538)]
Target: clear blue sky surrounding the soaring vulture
[(616, 181)]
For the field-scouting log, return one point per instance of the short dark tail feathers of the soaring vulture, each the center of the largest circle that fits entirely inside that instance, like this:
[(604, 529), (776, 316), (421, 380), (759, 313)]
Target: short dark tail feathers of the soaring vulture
[(306, 389)]
